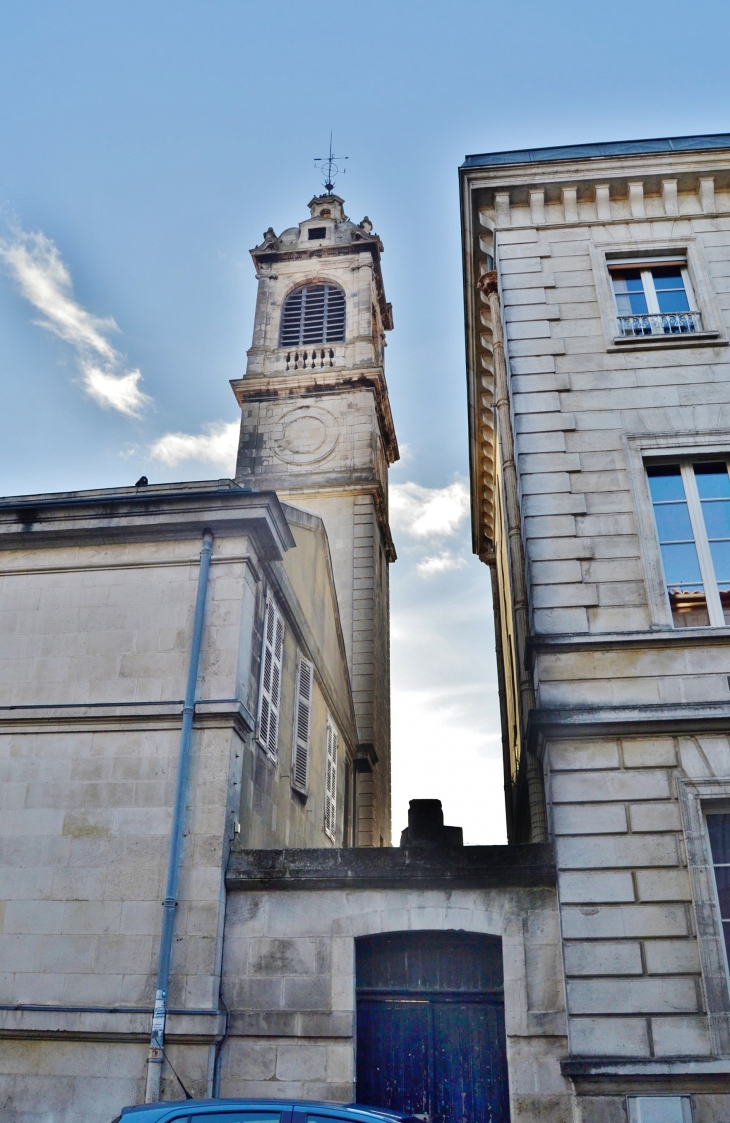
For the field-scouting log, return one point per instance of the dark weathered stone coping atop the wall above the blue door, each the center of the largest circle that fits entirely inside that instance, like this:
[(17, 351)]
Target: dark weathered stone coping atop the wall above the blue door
[(525, 866)]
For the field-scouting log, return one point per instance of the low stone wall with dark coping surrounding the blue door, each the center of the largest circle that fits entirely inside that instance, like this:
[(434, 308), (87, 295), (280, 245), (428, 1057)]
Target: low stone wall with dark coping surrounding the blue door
[(289, 966)]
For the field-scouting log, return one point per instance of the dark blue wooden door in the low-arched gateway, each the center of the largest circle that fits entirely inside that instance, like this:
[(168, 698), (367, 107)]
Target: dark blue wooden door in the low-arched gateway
[(431, 1026)]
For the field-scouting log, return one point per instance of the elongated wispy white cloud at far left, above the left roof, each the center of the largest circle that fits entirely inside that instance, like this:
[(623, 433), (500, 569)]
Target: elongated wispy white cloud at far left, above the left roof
[(45, 281)]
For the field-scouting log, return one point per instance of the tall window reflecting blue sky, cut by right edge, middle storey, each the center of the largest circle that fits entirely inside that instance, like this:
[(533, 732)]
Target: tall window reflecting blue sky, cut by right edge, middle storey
[(692, 512)]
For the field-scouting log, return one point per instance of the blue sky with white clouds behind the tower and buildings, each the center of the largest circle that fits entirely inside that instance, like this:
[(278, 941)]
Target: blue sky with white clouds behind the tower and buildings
[(144, 148)]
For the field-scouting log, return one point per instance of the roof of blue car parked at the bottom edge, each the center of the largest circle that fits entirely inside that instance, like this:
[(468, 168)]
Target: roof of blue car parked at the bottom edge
[(260, 1111)]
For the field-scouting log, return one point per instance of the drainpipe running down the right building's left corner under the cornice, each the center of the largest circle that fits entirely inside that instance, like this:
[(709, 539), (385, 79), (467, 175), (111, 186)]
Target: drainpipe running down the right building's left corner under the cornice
[(516, 551)]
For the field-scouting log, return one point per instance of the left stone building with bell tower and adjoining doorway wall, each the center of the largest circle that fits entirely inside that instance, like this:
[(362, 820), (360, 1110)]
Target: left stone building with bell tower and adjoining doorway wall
[(306, 953)]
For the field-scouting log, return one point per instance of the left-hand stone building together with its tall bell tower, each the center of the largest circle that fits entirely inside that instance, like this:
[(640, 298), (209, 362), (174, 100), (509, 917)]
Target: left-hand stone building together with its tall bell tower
[(290, 737)]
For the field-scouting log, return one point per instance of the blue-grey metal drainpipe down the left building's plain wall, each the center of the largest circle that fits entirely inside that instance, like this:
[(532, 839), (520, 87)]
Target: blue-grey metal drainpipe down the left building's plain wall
[(158, 1039)]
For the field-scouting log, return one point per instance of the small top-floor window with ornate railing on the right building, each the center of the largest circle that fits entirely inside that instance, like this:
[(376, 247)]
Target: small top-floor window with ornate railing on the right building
[(654, 299)]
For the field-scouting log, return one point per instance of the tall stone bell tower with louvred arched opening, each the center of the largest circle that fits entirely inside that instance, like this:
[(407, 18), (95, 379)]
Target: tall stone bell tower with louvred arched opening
[(317, 428)]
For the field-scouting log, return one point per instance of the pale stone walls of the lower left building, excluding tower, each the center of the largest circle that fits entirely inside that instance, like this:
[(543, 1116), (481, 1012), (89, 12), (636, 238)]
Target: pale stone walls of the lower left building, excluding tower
[(96, 615)]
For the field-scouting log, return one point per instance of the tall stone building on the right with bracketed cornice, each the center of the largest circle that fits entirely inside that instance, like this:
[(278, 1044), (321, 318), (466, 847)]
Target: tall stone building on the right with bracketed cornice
[(598, 321)]
